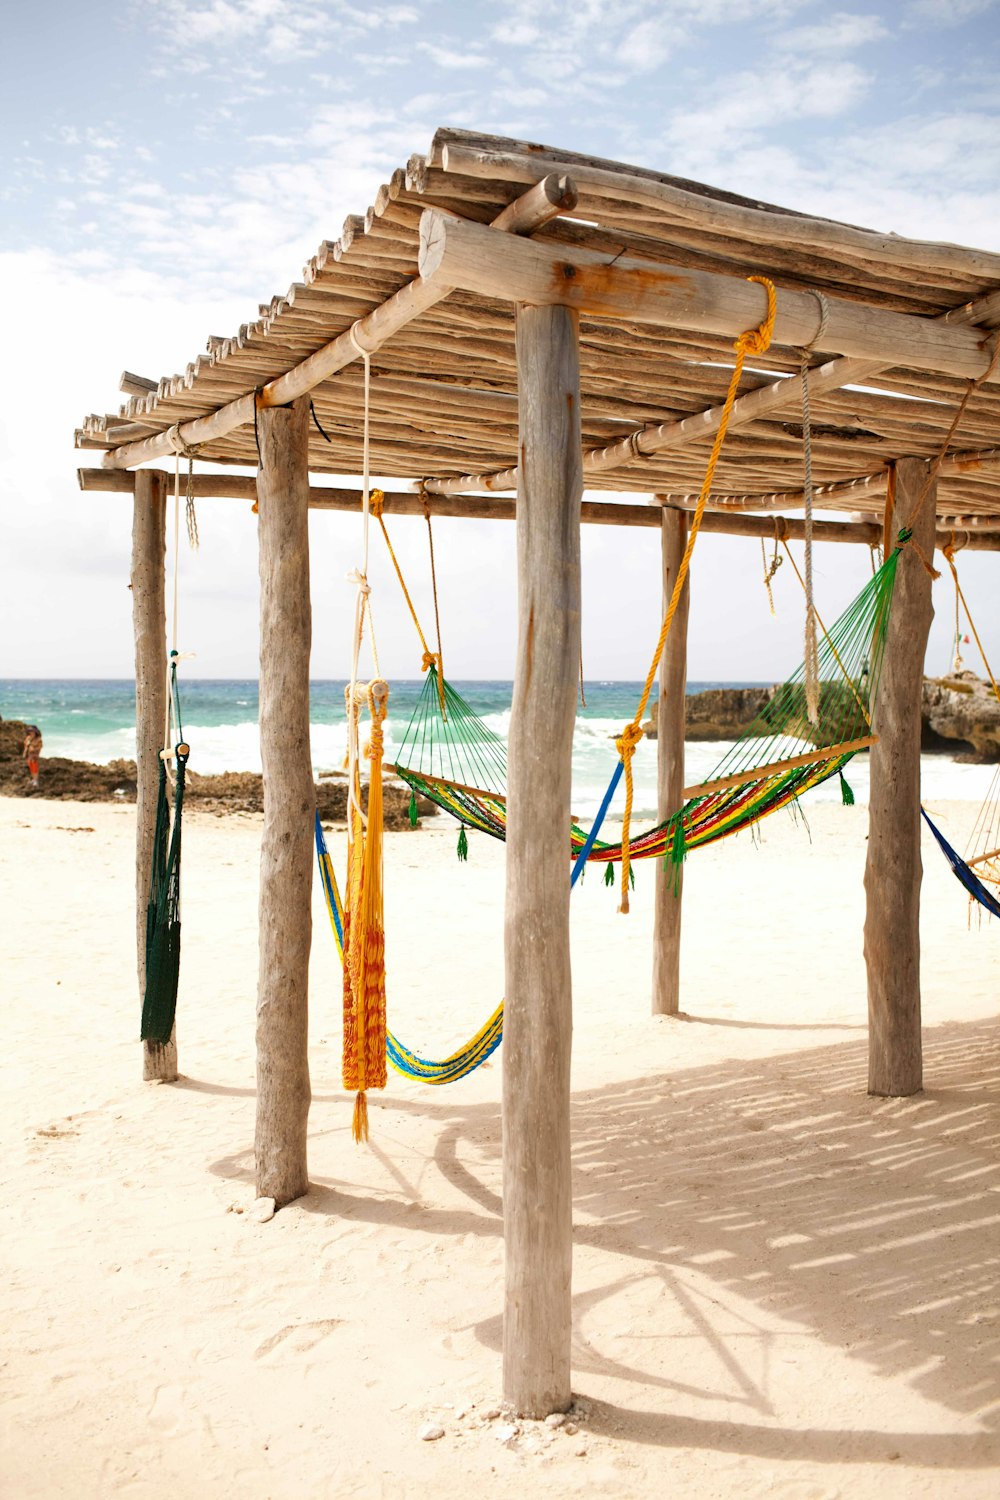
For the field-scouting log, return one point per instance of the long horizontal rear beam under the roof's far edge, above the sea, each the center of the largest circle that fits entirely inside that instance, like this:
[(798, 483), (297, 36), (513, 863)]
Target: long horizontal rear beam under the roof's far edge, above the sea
[(594, 512)]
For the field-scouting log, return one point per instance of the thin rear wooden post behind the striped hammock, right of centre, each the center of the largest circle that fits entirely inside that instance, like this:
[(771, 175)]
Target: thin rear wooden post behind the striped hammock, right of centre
[(671, 712)]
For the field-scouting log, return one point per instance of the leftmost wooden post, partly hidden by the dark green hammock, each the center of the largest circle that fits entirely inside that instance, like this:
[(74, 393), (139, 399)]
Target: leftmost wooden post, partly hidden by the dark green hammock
[(149, 620)]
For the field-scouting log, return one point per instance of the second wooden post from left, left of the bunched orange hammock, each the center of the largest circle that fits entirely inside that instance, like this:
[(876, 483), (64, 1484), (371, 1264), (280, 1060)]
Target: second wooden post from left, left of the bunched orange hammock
[(290, 800)]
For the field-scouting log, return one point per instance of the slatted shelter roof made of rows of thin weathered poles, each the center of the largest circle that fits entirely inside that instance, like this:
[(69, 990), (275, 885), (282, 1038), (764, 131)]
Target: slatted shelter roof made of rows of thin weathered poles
[(445, 389)]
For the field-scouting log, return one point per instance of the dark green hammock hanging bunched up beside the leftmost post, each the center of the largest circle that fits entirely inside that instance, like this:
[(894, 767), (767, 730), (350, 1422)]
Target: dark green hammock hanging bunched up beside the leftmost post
[(163, 913)]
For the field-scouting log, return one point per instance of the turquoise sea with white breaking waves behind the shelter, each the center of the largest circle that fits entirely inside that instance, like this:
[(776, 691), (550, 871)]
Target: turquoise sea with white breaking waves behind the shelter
[(95, 721)]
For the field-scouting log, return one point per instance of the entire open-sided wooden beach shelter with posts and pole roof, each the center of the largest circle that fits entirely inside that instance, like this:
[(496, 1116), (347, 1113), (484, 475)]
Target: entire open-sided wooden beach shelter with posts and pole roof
[(540, 322)]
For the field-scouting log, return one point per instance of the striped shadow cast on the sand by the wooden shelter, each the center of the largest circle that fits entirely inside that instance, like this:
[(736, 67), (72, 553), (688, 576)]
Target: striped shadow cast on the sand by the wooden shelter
[(783, 1183)]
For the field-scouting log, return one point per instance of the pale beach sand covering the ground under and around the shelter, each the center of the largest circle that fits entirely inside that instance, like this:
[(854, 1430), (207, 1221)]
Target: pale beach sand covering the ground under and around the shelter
[(783, 1288)]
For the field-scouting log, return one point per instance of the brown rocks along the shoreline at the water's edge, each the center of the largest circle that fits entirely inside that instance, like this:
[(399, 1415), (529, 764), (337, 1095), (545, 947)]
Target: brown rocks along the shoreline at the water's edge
[(962, 718)]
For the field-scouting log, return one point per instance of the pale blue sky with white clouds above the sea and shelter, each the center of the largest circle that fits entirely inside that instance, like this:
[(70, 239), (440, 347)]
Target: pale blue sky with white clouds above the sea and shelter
[(169, 167)]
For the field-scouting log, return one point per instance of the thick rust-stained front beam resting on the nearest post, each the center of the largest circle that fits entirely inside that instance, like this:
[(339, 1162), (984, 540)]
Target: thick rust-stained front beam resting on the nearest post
[(469, 256)]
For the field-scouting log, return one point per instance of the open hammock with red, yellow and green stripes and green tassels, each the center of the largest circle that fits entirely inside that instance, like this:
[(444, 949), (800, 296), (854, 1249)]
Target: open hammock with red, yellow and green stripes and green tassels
[(460, 763)]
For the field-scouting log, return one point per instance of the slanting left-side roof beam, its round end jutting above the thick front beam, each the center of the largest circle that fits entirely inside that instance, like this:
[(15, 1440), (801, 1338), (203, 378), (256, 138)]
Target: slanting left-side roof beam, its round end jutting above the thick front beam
[(367, 335)]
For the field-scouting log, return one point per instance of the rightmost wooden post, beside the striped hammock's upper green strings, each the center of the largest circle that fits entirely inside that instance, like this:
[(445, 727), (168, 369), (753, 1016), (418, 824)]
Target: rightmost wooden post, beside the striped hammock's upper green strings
[(894, 871)]
